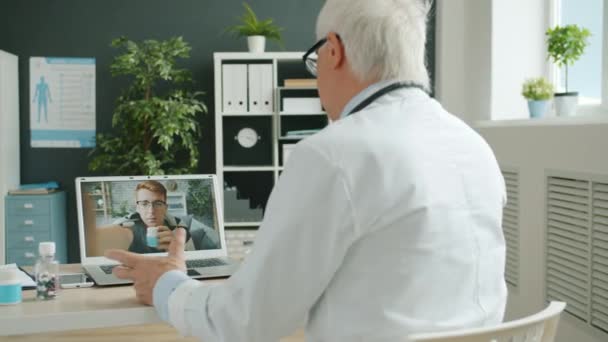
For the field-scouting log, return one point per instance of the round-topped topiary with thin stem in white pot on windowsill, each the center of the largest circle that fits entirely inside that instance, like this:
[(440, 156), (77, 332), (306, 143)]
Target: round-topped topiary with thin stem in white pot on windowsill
[(565, 45)]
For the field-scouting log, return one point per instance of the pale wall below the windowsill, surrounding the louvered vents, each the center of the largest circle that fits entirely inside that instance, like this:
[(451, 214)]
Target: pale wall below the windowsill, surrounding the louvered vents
[(567, 146)]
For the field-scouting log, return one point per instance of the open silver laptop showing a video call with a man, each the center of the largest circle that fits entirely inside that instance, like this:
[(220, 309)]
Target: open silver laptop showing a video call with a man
[(118, 212)]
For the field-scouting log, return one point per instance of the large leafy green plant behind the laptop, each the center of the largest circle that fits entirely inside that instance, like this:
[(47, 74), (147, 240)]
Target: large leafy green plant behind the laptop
[(156, 119)]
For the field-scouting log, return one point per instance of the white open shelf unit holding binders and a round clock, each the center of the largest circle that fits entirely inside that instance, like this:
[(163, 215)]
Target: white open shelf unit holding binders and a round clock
[(270, 118)]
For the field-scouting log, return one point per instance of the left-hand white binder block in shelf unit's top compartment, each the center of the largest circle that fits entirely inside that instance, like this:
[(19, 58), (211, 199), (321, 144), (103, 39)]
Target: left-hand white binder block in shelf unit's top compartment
[(234, 88)]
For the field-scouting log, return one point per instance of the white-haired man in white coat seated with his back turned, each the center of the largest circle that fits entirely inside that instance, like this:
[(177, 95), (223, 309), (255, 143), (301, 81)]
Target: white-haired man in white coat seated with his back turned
[(385, 223)]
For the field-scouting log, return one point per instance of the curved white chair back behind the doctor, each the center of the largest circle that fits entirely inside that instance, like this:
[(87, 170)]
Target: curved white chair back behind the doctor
[(539, 327)]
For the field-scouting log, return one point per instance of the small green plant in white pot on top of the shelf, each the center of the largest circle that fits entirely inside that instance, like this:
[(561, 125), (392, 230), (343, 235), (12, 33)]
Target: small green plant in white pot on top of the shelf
[(256, 30)]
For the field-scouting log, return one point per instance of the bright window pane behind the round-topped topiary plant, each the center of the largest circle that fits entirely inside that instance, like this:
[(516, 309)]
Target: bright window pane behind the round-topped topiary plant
[(589, 74)]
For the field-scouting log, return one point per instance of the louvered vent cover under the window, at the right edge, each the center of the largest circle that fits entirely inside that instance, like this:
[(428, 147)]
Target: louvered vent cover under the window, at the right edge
[(576, 246)]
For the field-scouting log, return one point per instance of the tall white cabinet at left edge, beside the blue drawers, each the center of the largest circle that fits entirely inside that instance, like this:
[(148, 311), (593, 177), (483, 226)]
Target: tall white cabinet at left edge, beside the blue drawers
[(9, 136)]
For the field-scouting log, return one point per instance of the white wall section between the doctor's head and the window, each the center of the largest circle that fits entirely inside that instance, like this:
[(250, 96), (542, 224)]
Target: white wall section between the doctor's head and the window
[(486, 49)]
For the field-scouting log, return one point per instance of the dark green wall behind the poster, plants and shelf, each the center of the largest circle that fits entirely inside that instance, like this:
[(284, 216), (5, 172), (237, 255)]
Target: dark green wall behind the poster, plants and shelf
[(84, 28)]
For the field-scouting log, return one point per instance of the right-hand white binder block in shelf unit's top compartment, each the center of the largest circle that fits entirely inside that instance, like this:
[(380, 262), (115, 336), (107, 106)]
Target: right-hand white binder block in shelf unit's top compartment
[(261, 88)]
